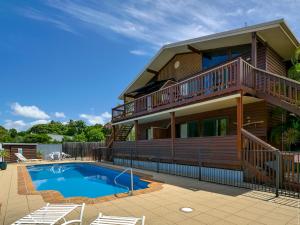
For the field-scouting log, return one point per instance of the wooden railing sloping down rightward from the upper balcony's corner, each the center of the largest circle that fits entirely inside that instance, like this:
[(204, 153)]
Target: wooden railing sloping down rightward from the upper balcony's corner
[(275, 89)]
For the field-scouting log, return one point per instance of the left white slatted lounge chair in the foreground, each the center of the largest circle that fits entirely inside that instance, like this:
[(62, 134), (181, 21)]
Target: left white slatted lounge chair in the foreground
[(51, 214)]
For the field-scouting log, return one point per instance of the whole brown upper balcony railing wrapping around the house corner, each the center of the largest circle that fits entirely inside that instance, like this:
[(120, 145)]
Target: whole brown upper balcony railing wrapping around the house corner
[(223, 80)]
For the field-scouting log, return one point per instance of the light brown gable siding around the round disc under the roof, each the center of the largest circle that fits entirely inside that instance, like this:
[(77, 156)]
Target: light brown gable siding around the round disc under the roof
[(190, 63)]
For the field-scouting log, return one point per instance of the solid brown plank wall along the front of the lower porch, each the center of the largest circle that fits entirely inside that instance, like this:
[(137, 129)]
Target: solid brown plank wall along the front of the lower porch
[(214, 151)]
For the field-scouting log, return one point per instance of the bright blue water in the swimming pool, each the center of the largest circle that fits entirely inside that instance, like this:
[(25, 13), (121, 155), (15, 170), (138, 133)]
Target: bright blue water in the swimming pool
[(81, 179)]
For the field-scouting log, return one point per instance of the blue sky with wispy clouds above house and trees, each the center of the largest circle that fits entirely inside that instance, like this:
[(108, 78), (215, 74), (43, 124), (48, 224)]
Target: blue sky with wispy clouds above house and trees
[(64, 60)]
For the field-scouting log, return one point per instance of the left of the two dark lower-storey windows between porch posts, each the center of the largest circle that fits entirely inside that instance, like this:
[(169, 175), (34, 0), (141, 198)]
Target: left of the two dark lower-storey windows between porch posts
[(185, 130)]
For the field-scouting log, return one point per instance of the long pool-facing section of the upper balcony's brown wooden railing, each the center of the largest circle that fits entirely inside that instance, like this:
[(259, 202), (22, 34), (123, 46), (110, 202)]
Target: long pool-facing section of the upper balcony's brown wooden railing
[(220, 80)]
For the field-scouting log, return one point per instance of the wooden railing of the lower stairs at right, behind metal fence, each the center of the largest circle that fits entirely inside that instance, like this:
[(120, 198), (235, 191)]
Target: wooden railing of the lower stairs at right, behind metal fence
[(266, 165)]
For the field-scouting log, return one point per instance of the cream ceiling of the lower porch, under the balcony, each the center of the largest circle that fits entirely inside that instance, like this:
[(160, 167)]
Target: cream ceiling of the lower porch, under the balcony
[(215, 104)]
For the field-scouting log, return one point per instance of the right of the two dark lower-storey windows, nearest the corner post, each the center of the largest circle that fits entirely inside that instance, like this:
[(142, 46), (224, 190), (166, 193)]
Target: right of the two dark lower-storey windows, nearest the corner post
[(215, 127)]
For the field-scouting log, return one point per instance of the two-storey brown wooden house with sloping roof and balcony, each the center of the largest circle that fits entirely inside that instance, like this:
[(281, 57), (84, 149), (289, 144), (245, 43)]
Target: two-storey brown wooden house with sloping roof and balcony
[(197, 100)]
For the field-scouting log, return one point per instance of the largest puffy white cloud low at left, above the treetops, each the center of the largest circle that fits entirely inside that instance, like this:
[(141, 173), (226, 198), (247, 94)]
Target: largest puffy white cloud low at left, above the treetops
[(29, 111)]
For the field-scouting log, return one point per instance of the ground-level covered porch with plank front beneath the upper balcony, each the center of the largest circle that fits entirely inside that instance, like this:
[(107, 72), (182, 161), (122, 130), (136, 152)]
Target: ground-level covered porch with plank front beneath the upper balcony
[(165, 136)]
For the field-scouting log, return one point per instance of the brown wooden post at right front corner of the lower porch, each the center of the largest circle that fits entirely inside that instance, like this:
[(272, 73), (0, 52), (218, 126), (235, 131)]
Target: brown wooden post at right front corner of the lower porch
[(239, 122)]
